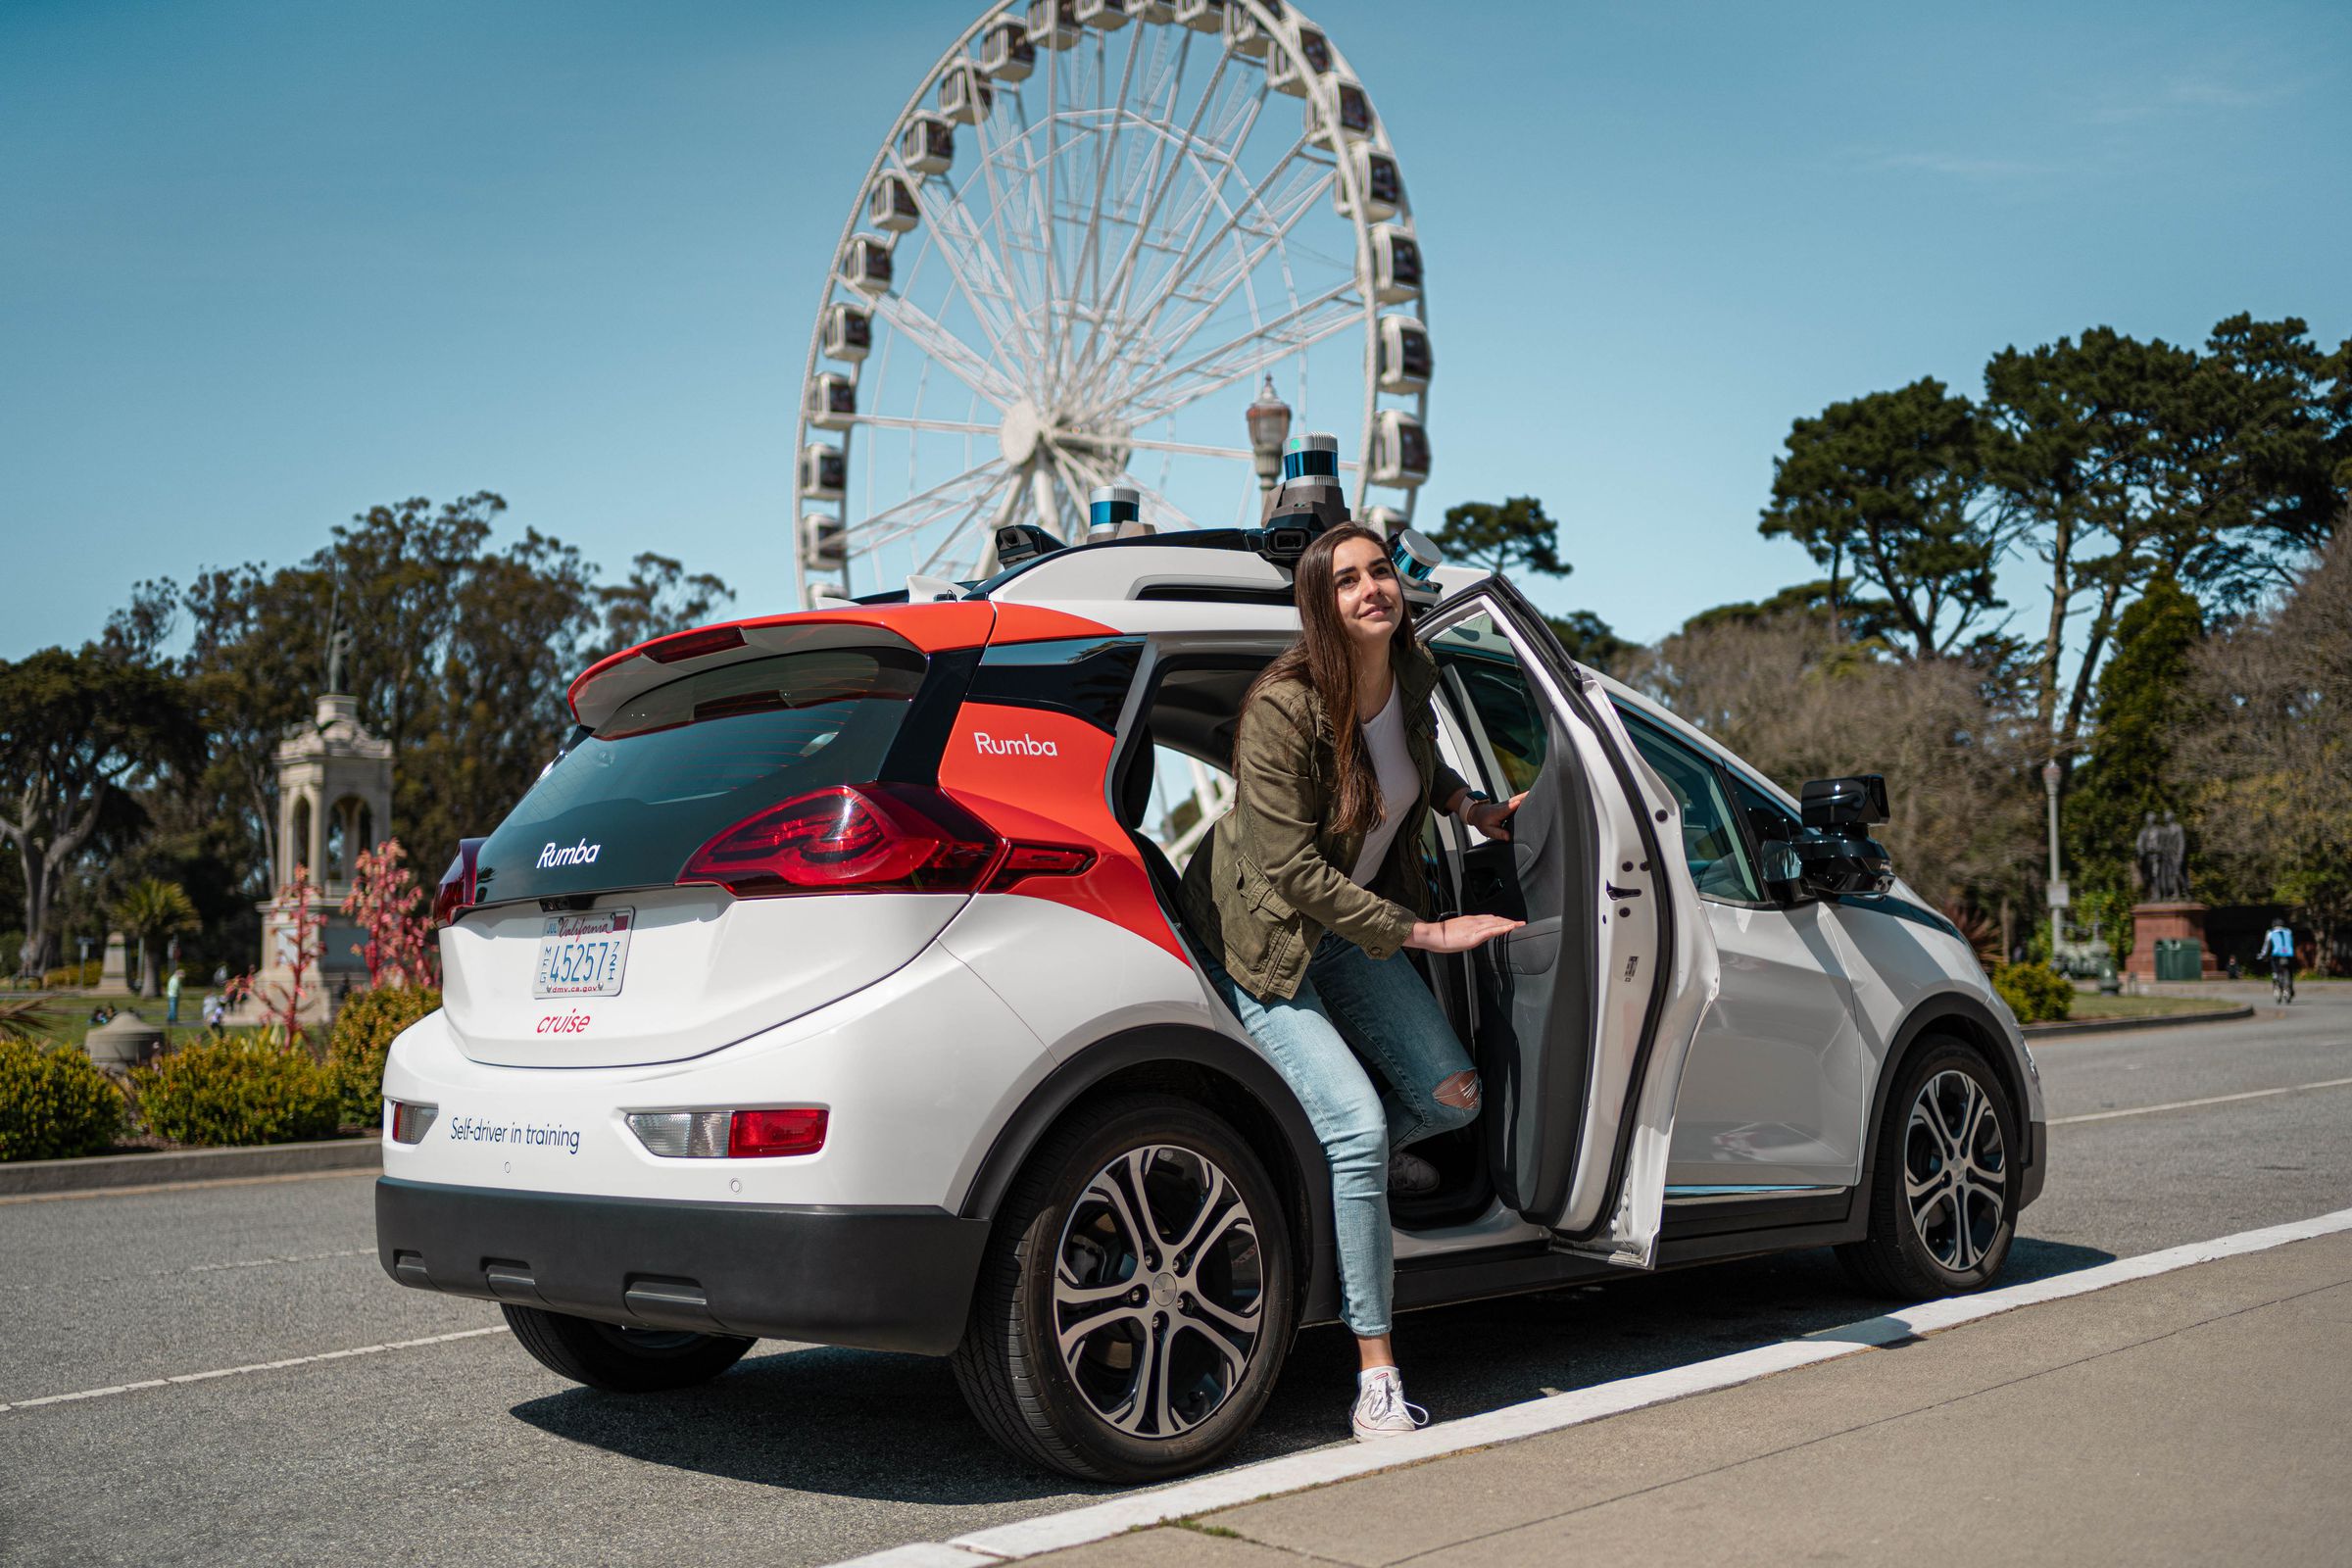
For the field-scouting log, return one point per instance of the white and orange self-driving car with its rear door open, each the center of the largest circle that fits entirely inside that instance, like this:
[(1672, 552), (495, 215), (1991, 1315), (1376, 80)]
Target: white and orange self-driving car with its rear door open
[(829, 989)]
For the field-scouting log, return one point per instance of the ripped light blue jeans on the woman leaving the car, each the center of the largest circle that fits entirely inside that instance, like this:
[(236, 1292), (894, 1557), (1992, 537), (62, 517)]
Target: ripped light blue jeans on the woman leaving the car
[(1351, 1005)]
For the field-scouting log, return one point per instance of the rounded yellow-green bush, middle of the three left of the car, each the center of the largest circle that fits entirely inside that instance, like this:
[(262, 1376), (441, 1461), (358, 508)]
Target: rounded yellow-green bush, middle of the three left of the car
[(236, 1092)]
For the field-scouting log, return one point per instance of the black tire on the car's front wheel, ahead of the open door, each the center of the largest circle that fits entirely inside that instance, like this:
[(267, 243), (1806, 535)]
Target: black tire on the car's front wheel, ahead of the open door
[(1956, 1245)]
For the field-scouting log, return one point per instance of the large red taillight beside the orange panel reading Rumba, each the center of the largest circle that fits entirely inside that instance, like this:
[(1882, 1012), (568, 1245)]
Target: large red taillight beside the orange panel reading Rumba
[(876, 838)]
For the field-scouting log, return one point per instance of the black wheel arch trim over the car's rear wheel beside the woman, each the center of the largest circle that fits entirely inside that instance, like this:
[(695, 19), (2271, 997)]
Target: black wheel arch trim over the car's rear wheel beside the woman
[(1302, 1167)]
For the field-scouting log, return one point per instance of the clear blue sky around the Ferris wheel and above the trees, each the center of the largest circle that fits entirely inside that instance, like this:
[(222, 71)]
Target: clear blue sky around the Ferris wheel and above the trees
[(269, 264)]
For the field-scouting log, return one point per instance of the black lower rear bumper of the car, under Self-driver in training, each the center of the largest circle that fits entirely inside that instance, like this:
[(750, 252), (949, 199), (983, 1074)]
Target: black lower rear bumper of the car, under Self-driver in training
[(867, 1278)]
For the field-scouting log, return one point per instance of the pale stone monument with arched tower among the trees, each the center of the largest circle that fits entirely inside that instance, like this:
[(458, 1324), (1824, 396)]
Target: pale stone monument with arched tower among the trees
[(335, 798)]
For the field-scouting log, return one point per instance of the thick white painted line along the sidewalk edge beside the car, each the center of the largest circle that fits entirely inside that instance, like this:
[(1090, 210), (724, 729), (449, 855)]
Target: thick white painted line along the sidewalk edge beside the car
[(1342, 1463)]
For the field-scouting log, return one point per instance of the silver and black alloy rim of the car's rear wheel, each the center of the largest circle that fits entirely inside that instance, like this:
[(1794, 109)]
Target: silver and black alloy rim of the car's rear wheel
[(1158, 1292)]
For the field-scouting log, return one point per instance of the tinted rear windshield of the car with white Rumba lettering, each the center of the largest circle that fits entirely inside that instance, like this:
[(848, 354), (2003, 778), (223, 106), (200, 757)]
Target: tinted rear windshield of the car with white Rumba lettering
[(632, 800)]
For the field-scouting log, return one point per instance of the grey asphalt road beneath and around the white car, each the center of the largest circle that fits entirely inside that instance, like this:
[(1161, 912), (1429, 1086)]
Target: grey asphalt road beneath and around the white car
[(467, 1449)]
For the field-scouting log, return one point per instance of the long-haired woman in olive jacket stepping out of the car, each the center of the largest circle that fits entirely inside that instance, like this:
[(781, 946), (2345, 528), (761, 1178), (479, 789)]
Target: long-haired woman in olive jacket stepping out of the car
[(1309, 890)]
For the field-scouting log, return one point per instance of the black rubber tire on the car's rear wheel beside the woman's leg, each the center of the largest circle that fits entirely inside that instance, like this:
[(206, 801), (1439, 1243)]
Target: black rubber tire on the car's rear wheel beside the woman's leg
[(1010, 1362)]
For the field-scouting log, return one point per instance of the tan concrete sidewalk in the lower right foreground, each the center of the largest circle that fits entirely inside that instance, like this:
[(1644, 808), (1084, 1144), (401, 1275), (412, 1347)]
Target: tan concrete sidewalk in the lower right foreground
[(2191, 1419)]
